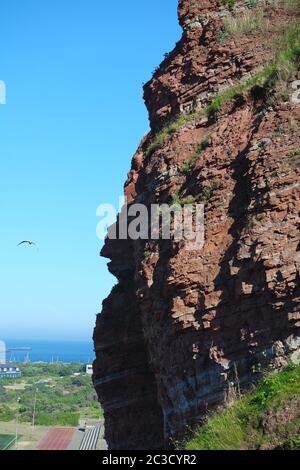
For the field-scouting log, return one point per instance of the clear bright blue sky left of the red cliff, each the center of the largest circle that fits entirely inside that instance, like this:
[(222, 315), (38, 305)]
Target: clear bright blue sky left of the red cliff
[(73, 119)]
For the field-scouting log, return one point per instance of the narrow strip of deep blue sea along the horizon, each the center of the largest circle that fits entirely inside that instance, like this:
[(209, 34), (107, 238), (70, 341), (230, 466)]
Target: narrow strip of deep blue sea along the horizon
[(51, 351)]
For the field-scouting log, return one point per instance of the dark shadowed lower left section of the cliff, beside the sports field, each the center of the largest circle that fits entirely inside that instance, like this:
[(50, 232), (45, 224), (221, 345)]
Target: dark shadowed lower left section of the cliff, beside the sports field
[(123, 379)]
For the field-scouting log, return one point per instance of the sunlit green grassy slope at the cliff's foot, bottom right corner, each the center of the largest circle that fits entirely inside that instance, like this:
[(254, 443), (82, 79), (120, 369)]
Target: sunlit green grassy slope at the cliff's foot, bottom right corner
[(266, 418)]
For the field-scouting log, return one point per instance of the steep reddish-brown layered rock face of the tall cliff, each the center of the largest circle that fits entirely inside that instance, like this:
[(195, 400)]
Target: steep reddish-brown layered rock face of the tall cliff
[(182, 327)]
